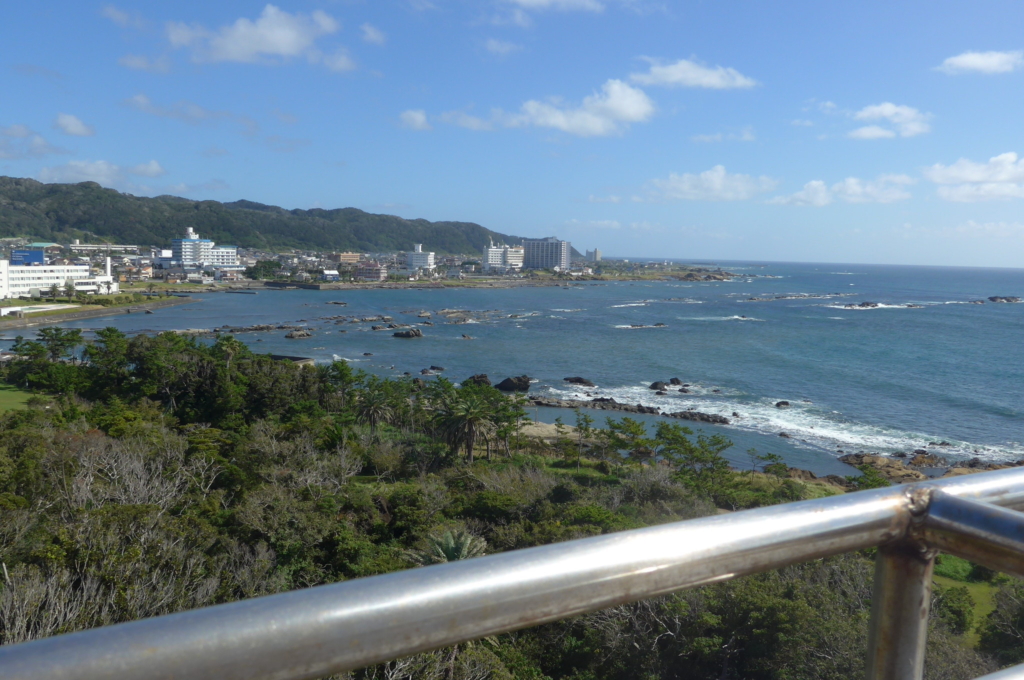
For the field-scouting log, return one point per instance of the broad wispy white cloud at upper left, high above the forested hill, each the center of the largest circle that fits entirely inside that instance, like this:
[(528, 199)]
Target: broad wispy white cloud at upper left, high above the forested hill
[(275, 34)]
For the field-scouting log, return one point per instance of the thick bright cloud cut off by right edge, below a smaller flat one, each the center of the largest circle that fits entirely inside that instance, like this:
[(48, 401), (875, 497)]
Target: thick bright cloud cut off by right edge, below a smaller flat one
[(969, 182)]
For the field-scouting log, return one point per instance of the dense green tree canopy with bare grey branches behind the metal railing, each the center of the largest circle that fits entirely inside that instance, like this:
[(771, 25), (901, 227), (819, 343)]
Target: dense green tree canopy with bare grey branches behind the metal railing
[(154, 475)]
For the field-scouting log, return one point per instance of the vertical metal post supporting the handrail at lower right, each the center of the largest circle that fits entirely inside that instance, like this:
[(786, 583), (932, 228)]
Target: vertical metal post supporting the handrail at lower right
[(900, 613)]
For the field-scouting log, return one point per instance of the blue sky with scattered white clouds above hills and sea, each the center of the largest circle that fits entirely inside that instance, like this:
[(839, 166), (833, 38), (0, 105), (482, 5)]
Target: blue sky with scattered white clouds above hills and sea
[(847, 133)]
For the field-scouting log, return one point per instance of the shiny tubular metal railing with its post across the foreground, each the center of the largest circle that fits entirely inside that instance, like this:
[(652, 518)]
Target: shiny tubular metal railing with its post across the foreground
[(329, 629)]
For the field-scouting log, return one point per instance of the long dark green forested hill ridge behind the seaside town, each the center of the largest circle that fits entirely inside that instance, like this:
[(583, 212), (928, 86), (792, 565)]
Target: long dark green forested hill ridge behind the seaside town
[(88, 211)]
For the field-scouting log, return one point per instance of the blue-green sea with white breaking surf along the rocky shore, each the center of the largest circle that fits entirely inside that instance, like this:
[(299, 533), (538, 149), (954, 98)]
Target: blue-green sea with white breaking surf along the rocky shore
[(883, 379)]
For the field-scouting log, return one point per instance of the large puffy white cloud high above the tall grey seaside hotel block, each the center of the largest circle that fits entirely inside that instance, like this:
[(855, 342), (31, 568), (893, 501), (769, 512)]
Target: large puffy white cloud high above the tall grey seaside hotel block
[(602, 114)]
